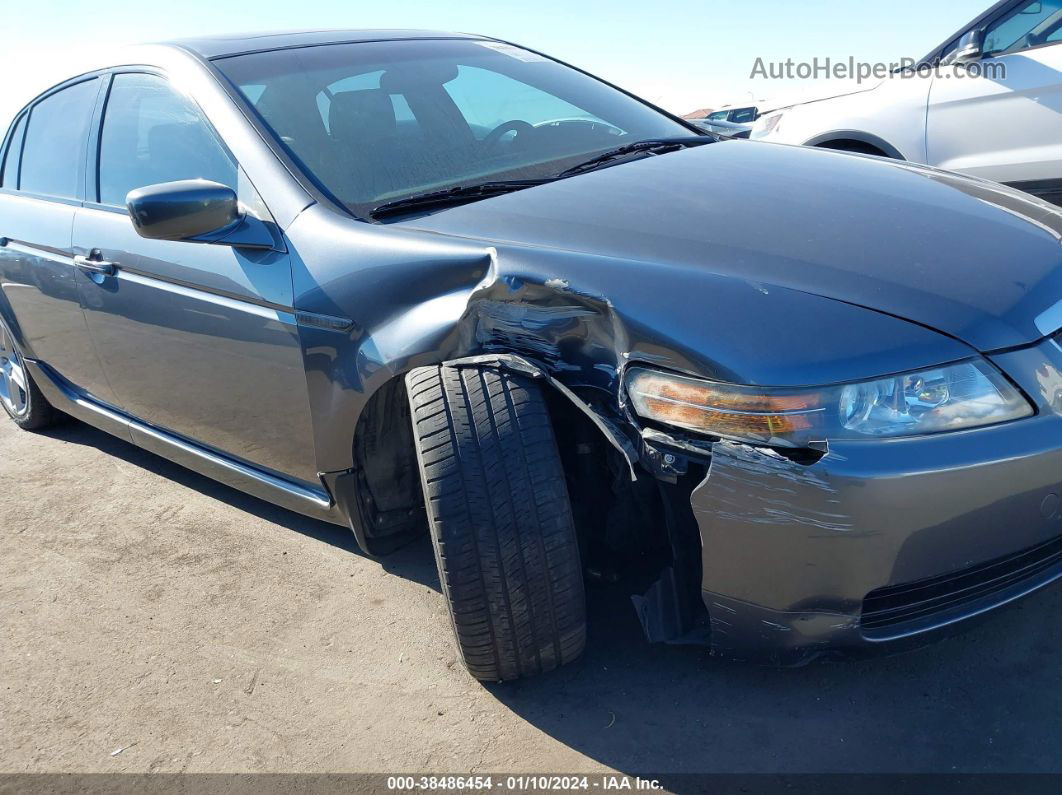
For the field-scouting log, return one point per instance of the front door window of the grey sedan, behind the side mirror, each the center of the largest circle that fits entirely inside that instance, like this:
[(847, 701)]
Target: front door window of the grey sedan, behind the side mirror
[(152, 134)]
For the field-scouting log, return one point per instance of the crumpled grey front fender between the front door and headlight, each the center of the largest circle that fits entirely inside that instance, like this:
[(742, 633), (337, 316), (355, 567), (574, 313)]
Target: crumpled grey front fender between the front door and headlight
[(419, 299)]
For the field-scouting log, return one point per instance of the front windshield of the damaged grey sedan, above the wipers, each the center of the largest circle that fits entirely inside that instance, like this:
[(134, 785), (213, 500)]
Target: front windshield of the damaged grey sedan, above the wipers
[(380, 122)]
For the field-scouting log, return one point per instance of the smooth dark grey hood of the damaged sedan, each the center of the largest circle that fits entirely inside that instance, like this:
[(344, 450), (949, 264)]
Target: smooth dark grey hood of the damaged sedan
[(978, 262)]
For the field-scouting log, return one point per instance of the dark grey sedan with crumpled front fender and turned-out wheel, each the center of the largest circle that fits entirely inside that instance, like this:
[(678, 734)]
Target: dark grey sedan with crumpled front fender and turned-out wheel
[(424, 284)]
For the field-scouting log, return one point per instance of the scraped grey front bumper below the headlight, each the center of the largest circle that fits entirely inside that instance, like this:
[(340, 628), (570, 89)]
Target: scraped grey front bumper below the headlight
[(881, 543)]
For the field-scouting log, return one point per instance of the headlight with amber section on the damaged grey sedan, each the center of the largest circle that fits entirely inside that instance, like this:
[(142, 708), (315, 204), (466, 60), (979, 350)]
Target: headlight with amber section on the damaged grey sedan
[(960, 396)]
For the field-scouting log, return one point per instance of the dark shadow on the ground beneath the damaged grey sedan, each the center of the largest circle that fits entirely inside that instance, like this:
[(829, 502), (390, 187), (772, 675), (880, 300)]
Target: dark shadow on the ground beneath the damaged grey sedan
[(987, 701)]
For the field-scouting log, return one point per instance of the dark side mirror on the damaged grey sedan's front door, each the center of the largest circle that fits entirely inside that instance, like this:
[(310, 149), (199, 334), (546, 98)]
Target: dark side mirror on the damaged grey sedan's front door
[(183, 211)]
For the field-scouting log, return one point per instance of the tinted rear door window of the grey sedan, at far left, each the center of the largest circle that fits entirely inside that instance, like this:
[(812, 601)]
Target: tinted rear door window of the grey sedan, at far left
[(55, 146)]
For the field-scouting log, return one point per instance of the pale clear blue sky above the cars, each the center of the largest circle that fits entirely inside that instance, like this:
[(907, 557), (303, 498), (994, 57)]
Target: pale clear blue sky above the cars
[(679, 55)]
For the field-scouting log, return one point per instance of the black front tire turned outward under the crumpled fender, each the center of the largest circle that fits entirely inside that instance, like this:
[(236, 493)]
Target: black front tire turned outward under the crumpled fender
[(501, 521)]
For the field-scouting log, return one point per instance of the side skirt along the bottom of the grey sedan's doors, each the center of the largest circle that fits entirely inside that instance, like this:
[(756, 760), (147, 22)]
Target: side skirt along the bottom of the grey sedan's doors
[(316, 504)]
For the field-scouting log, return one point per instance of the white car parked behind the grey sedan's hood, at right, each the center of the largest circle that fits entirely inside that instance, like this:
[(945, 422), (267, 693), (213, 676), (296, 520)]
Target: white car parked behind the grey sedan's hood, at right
[(1004, 124)]
